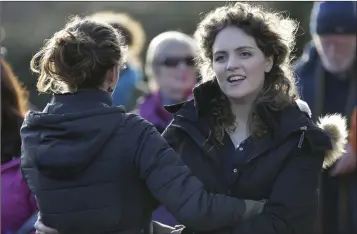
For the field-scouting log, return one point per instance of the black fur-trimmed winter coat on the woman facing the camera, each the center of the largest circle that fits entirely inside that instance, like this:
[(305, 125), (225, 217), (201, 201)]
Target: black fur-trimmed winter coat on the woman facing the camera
[(283, 167)]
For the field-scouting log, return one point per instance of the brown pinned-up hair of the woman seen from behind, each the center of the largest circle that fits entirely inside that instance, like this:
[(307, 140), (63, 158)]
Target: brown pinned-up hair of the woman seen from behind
[(78, 56)]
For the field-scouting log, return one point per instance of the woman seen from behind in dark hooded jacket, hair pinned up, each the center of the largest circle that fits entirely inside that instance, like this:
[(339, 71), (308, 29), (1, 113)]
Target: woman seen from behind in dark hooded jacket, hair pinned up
[(96, 169)]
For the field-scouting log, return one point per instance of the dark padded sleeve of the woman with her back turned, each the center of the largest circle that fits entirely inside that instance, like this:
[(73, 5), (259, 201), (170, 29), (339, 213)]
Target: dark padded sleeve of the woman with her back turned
[(171, 182)]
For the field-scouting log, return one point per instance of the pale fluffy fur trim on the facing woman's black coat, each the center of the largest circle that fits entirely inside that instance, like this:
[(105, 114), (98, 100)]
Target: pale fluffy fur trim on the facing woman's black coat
[(335, 126)]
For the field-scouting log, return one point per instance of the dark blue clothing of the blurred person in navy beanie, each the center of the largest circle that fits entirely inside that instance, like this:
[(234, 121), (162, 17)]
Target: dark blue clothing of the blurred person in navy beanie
[(328, 94)]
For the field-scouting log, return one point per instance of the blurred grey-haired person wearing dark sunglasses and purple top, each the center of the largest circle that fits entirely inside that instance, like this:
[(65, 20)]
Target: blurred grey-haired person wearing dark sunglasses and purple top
[(171, 72)]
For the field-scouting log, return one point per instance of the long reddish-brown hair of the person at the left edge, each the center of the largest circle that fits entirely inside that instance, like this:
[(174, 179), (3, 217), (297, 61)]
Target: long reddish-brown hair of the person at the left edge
[(14, 104)]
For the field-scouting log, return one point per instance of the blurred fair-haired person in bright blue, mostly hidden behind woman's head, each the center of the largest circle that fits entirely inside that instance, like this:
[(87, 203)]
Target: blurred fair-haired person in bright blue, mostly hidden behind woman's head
[(131, 77)]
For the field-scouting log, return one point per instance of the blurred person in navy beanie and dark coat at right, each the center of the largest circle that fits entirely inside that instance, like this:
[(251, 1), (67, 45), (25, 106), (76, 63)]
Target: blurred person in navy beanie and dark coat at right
[(327, 73)]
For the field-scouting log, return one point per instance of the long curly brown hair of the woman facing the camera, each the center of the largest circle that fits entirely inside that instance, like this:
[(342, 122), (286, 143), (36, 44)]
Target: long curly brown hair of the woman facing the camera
[(275, 37)]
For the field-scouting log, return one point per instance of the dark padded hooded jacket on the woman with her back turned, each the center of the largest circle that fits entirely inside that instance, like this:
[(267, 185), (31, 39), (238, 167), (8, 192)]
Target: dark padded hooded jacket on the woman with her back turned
[(95, 169)]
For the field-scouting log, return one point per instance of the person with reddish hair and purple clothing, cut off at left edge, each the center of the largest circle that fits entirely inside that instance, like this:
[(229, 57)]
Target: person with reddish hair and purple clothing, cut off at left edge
[(18, 205)]
